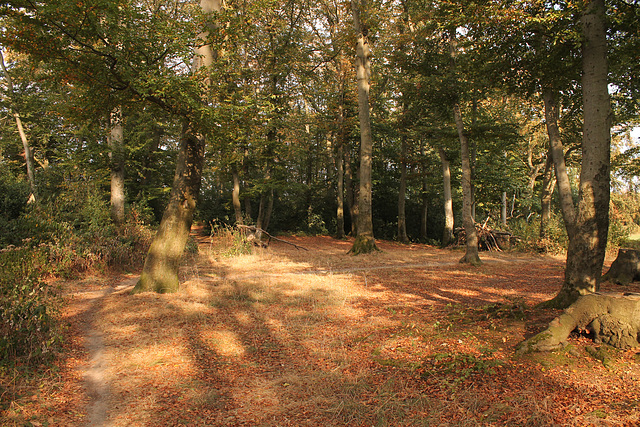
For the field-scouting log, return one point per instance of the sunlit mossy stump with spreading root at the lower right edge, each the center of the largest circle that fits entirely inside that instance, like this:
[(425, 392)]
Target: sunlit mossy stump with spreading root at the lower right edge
[(613, 320)]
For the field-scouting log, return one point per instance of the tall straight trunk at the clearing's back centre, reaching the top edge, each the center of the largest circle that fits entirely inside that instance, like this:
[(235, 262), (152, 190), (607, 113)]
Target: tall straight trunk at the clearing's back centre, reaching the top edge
[(365, 241)]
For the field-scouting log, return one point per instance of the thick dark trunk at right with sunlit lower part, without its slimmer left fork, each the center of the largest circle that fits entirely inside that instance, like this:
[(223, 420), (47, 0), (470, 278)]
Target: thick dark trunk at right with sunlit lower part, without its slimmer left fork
[(587, 245)]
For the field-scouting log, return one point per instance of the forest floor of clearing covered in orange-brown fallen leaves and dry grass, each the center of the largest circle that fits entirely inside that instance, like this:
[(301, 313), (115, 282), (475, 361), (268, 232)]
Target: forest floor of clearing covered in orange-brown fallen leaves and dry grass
[(288, 337)]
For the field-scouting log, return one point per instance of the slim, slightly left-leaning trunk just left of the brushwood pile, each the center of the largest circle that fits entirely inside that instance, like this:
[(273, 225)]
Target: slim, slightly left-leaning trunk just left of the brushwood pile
[(471, 255)]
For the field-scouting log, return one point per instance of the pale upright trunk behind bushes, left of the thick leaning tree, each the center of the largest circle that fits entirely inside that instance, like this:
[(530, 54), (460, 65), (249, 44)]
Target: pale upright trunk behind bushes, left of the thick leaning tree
[(116, 156)]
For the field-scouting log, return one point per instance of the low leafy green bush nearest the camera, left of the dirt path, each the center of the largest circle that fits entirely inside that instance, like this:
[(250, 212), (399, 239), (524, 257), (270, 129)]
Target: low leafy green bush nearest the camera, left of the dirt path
[(29, 327)]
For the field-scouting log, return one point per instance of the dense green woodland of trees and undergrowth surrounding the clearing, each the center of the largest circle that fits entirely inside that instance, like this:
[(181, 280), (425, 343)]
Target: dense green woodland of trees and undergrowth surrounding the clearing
[(97, 98)]
